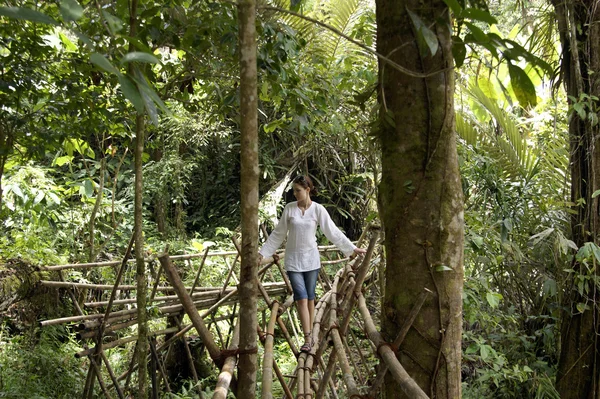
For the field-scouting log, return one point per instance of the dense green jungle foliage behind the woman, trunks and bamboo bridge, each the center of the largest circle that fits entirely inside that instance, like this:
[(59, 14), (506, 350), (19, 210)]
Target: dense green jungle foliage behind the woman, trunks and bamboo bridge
[(68, 103)]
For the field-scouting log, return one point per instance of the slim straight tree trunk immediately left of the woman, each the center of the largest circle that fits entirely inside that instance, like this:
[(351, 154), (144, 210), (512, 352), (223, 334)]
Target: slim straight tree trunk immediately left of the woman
[(249, 200)]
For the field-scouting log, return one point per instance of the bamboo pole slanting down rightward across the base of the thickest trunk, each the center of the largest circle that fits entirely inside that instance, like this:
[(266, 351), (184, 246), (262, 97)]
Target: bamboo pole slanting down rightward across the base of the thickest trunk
[(407, 384)]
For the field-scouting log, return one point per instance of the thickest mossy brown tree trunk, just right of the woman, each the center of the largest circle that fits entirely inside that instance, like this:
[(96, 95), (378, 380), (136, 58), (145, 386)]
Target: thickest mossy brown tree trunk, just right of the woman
[(420, 198)]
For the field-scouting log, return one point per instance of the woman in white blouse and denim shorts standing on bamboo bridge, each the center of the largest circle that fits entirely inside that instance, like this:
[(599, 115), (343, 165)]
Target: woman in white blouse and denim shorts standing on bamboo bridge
[(299, 223)]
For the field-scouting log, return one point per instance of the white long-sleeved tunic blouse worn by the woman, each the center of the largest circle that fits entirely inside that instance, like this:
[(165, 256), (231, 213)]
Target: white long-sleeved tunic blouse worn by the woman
[(301, 253)]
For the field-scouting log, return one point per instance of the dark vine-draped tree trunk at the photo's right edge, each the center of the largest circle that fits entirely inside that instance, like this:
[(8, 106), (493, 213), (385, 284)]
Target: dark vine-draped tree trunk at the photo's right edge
[(578, 373)]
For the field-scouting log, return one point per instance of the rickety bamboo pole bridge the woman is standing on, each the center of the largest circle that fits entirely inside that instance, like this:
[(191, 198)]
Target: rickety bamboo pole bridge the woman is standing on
[(336, 354)]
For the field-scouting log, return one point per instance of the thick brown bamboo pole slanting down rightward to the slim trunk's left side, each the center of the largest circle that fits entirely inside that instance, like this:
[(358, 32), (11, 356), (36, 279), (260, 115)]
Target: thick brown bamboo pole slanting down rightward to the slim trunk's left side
[(189, 307)]
